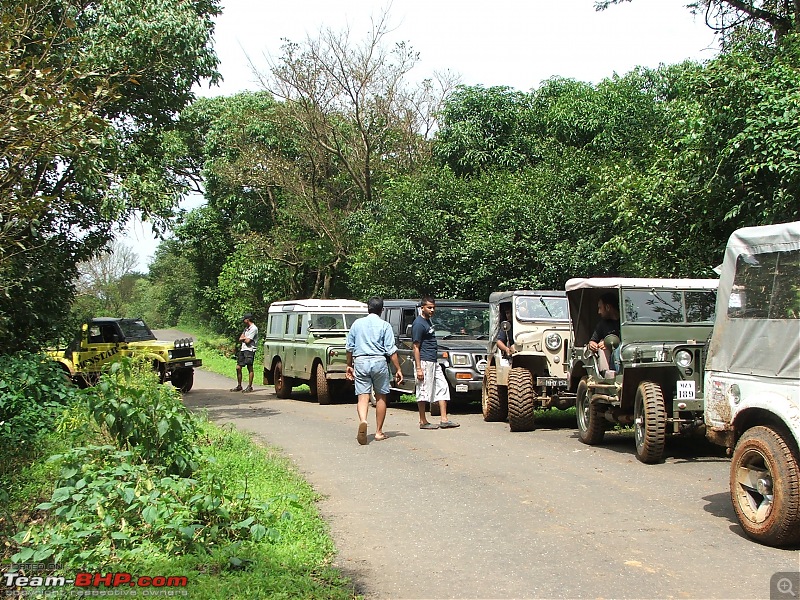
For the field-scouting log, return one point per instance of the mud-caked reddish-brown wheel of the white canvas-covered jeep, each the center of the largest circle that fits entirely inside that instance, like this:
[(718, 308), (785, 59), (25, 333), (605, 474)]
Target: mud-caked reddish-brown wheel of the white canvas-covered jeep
[(765, 487)]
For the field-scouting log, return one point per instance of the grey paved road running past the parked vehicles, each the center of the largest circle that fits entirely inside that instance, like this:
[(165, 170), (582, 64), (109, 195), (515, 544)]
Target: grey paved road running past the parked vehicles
[(479, 512)]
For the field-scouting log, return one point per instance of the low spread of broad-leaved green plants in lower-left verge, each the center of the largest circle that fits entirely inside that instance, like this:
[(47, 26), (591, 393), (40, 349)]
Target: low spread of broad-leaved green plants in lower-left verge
[(108, 505)]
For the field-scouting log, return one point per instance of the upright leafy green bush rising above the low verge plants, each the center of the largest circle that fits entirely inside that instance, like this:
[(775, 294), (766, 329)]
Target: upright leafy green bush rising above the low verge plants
[(144, 416)]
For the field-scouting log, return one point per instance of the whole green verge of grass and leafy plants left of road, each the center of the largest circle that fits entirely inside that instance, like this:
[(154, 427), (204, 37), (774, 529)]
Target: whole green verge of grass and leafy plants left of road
[(88, 498)]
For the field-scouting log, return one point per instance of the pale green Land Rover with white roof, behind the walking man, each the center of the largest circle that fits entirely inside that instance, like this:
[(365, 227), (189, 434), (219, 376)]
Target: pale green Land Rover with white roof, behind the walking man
[(305, 343)]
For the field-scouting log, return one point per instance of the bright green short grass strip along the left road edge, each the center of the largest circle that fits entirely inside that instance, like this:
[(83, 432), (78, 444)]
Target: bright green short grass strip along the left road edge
[(296, 565)]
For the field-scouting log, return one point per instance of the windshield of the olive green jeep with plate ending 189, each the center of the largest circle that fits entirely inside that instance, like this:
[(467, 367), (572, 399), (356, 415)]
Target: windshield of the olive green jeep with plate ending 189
[(669, 306)]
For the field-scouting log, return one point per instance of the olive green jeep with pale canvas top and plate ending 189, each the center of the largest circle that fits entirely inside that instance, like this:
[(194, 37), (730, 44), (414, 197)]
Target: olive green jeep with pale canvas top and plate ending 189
[(657, 382)]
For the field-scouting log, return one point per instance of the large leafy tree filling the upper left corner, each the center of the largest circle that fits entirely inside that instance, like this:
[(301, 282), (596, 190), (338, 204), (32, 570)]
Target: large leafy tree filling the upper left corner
[(88, 90)]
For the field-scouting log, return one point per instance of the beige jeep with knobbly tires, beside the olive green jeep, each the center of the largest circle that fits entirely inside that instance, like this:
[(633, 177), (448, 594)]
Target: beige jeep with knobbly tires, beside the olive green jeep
[(535, 375)]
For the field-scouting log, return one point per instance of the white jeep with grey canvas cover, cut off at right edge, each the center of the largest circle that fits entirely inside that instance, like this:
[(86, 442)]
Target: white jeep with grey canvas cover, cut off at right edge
[(753, 379)]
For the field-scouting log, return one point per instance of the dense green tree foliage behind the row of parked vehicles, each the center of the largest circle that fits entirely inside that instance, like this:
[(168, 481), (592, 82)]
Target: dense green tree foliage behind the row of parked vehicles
[(641, 174)]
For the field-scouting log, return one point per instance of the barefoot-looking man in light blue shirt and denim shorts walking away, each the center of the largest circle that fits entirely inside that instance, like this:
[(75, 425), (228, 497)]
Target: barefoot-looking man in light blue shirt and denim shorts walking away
[(370, 342)]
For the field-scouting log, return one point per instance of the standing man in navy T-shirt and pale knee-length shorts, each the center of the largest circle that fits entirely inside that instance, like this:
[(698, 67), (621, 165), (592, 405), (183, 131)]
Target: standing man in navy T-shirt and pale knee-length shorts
[(431, 382)]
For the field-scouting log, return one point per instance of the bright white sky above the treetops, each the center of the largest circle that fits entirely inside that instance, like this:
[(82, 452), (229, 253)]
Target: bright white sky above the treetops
[(516, 43)]
